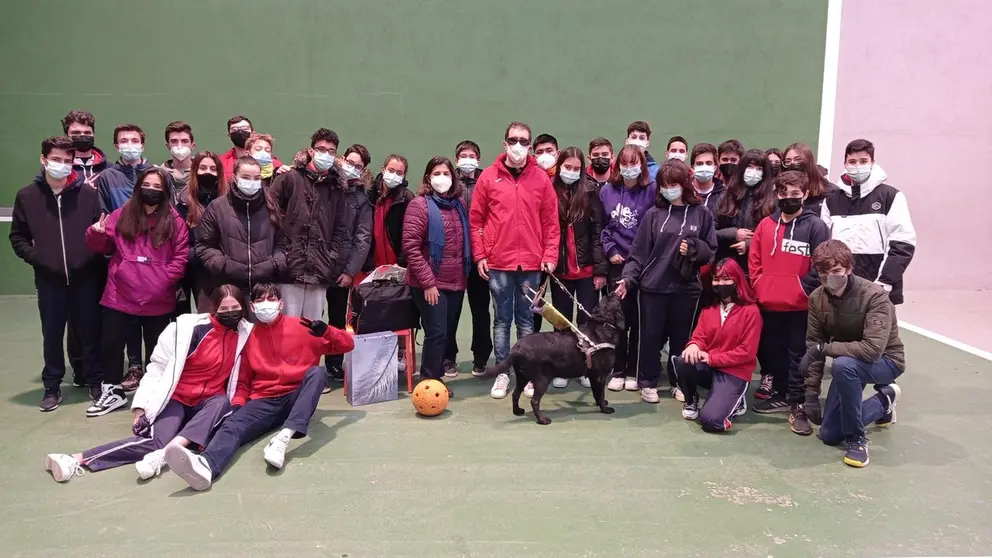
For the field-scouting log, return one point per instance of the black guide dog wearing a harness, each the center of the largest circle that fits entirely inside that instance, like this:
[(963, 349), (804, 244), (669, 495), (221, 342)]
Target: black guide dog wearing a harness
[(539, 357)]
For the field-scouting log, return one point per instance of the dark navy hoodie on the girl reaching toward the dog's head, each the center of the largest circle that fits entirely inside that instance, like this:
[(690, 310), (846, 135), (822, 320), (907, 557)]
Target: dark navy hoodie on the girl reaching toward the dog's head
[(654, 263)]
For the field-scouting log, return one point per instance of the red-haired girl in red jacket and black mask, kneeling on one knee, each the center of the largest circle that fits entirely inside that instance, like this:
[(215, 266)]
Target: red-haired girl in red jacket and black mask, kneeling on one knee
[(722, 352)]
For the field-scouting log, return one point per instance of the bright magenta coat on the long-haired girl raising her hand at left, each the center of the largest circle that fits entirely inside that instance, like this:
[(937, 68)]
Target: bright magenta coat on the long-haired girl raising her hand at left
[(142, 280)]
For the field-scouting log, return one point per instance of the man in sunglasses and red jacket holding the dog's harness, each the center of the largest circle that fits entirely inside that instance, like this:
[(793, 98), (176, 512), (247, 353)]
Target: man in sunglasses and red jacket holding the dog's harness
[(515, 234)]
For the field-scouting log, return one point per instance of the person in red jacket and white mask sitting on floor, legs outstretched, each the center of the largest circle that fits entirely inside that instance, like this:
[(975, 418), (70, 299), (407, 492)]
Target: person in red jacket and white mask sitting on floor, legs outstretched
[(278, 387)]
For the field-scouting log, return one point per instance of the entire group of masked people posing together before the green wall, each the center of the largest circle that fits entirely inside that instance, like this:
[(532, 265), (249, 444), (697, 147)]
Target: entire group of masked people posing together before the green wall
[(729, 256)]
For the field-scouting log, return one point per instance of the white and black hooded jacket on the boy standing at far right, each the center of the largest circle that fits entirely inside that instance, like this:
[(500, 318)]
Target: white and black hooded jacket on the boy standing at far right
[(873, 220)]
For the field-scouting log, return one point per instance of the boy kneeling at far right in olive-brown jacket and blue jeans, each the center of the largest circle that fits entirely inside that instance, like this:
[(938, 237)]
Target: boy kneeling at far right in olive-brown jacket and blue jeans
[(851, 320)]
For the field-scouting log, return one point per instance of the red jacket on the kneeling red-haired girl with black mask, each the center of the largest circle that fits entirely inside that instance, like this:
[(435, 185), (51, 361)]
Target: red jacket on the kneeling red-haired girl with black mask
[(733, 345)]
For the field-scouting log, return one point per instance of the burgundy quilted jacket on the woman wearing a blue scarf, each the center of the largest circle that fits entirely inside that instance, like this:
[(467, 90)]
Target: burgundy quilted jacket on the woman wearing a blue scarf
[(451, 273)]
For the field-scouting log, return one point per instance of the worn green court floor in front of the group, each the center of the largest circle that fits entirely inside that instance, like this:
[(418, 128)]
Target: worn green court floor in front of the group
[(477, 481)]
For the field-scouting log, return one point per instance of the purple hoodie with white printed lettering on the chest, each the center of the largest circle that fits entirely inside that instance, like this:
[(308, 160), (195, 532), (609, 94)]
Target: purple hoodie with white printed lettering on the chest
[(625, 208)]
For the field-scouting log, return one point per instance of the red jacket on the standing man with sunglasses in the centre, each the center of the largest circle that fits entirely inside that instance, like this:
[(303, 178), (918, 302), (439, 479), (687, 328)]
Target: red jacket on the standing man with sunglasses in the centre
[(514, 221)]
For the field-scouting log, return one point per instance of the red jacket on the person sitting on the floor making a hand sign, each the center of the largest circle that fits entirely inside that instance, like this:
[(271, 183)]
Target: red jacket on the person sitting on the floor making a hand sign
[(277, 355)]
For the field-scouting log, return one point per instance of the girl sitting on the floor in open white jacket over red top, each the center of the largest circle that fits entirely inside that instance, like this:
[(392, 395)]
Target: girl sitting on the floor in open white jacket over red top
[(181, 397)]
